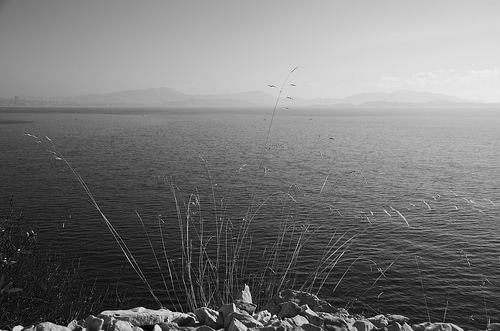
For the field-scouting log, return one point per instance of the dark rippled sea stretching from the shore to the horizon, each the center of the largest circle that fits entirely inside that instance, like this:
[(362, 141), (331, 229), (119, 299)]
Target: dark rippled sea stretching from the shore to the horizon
[(409, 198)]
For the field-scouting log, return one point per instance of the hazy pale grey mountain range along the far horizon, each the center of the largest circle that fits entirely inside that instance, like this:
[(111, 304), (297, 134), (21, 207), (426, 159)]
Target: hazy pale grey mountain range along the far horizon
[(165, 97)]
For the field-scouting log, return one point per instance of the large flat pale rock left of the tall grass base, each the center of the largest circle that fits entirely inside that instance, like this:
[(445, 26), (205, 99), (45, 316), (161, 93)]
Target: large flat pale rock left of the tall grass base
[(138, 316)]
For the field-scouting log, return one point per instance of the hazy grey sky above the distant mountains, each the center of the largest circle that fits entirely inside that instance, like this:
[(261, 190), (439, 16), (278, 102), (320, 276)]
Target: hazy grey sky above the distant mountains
[(342, 47)]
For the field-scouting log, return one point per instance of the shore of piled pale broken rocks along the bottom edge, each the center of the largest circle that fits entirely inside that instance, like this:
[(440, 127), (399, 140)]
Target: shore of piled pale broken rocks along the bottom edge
[(290, 310)]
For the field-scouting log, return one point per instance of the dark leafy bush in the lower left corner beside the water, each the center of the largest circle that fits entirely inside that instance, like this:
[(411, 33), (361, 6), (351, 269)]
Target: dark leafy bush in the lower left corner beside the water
[(37, 282)]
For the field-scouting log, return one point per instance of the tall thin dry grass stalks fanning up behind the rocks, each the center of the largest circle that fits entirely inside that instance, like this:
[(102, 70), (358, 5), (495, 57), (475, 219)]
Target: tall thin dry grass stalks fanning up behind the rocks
[(218, 254)]
